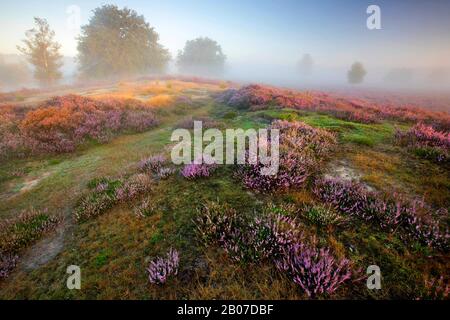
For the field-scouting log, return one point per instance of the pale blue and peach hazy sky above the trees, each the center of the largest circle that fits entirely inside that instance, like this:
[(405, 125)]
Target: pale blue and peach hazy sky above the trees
[(414, 34)]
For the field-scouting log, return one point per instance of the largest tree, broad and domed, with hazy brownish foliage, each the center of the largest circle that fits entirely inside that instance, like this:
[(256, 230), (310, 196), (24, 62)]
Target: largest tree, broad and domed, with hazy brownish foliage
[(119, 42)]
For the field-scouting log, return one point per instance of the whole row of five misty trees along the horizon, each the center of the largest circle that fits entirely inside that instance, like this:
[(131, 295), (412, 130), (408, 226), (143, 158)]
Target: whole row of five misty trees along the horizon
[(119, 42)]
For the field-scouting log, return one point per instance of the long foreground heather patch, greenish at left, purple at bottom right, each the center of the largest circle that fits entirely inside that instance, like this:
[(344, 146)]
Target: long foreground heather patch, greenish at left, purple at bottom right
[(277, 239)]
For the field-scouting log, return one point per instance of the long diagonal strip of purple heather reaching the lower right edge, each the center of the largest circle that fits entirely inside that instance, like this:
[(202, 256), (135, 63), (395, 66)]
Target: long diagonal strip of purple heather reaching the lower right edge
[(417, 220)]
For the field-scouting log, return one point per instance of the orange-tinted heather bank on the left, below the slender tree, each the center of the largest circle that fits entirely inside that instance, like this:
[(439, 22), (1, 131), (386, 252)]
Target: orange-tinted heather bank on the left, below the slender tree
[(63, 123)]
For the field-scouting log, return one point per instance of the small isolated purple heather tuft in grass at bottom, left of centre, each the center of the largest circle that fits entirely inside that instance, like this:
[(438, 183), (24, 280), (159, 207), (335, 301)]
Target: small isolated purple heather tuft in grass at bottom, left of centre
[(162, 268)]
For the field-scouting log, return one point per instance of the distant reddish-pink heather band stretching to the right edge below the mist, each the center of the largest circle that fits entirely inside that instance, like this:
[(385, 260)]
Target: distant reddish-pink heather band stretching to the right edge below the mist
[(257, 97)]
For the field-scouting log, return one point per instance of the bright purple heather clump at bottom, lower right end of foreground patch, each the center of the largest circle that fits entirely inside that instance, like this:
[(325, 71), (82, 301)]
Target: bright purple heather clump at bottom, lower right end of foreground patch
[(315, 270)]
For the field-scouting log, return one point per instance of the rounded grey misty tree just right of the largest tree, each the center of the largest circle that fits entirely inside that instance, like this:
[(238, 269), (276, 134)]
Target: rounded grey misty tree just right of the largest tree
[(201, 55)]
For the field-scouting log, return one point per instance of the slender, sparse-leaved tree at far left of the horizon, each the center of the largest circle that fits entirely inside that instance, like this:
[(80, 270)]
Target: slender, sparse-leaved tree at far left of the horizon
[(42, 51)]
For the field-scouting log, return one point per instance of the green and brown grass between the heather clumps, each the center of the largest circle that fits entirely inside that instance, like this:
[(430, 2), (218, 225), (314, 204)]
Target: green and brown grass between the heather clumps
[(114, 249)]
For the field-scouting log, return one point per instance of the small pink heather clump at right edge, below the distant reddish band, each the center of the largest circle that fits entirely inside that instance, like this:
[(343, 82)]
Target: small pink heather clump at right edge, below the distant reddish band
[(426, 141)]
